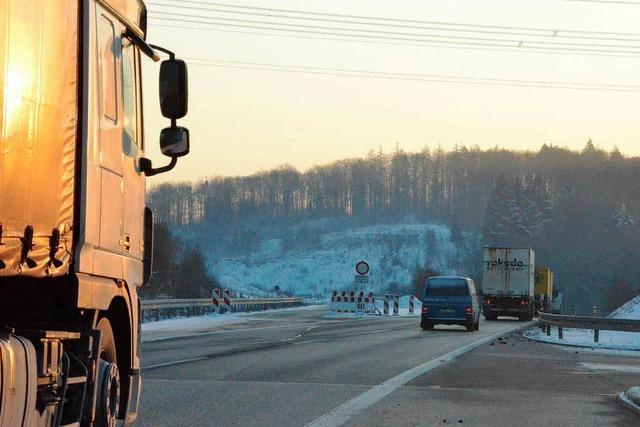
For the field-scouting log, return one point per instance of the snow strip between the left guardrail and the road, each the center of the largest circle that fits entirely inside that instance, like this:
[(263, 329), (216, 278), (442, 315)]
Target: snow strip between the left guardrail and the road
[(199, 325)]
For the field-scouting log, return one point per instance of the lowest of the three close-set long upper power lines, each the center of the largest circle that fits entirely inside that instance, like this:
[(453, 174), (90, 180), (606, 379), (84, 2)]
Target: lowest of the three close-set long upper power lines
[(540, 46)]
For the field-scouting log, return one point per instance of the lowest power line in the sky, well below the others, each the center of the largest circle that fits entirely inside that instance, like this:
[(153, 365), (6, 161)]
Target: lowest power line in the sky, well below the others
[(386, 75)]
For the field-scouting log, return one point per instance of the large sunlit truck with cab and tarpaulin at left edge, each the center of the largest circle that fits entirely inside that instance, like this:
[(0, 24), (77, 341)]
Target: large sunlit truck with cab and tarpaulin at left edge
[(75, 234)]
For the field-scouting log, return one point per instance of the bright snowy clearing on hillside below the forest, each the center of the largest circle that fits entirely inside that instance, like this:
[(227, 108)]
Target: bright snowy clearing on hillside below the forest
[(392, 251)]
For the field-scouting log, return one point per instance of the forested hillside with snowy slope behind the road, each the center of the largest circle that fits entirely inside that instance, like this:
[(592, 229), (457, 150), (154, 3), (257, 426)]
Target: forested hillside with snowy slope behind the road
[(579, 211)]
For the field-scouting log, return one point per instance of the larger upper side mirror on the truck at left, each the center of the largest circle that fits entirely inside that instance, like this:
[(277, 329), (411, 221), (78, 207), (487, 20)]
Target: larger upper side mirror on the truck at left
[(173, 89)]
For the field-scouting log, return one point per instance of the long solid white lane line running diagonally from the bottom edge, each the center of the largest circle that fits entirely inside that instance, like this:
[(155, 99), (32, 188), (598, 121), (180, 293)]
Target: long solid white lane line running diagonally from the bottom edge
[(342, 413)]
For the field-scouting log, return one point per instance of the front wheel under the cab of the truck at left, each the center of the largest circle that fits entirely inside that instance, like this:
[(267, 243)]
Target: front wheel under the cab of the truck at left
[(108, 397)]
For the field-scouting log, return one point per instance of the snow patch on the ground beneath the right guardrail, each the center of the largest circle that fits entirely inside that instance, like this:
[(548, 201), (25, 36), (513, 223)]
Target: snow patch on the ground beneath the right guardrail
[(611, 340)]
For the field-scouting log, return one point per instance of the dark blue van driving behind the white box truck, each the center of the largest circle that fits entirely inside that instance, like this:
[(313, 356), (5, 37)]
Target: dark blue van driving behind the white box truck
[(450, 300)]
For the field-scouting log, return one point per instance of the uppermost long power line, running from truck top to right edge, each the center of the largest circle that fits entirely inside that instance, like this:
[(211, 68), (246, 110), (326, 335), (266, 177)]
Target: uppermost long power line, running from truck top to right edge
[(386, 19)]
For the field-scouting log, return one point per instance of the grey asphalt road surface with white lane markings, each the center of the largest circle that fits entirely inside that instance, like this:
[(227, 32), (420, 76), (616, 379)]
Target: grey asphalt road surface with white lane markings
[(298, 368)]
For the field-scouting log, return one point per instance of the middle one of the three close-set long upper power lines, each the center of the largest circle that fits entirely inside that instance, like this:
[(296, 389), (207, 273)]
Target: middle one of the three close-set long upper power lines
[(211, 20)]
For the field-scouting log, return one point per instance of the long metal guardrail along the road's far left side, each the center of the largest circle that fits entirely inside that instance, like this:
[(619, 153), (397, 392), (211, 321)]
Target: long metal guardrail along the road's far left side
[(166, 308)]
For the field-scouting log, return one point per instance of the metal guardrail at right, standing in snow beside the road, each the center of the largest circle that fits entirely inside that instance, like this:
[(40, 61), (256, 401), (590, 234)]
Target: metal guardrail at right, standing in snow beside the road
[(546, 320)]
